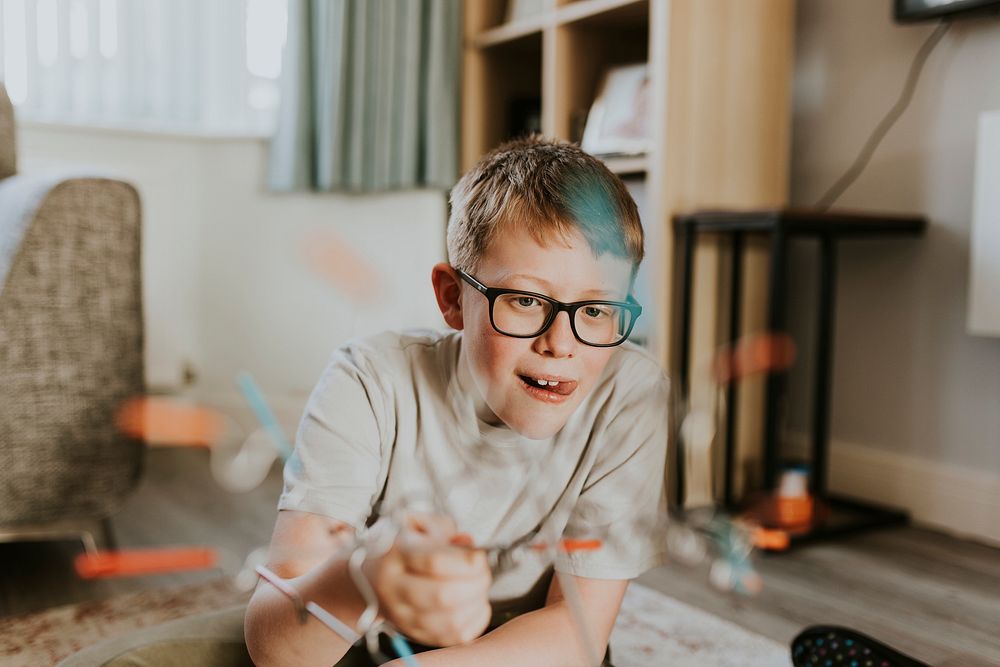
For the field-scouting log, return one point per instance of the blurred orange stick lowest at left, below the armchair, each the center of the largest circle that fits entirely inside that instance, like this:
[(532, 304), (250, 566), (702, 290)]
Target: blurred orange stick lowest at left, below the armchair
[(142, 562)]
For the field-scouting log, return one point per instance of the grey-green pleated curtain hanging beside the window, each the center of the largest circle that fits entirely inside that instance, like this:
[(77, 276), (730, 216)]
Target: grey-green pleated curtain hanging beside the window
[(369, 96)]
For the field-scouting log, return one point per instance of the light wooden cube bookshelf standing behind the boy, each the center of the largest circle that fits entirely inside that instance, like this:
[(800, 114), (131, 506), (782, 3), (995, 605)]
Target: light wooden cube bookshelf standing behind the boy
[(720, 76)]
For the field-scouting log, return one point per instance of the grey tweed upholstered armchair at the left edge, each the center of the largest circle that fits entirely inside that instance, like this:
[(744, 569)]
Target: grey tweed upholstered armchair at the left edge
[(70, 348)]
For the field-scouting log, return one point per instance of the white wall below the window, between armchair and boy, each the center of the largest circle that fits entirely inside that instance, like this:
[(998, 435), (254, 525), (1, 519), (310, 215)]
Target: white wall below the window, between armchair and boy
[(226, 285)]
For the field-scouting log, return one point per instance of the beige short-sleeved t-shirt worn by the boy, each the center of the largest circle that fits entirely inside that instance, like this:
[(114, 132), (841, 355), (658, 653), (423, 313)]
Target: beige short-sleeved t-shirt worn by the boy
[(394, 416)]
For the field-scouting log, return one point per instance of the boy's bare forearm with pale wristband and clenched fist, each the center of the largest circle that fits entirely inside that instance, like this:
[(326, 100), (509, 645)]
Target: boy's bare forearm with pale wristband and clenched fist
[(435, 593)]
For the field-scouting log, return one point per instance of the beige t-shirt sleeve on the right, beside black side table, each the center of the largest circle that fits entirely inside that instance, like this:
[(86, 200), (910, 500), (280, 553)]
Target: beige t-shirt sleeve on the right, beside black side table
[(623, 501)]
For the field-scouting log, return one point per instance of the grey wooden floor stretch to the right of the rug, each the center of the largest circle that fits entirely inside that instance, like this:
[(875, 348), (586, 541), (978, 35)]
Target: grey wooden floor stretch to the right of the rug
[(930, 596)]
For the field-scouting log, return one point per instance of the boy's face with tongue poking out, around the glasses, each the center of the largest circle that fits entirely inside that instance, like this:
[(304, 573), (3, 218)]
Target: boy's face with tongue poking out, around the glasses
[(502, 366)]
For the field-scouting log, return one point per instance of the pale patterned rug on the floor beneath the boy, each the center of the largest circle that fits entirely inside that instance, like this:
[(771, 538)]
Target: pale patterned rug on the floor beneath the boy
[(652, 629)]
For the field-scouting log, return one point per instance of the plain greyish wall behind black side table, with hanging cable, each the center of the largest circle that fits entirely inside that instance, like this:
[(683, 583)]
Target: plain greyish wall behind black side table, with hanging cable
[(909, 380)]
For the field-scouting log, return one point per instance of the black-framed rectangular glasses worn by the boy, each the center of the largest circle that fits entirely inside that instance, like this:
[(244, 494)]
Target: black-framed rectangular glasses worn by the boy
[(522, 314)]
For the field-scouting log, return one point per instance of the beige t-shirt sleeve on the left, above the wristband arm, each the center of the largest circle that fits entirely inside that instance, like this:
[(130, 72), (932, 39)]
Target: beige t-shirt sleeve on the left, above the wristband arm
[(335, 469)]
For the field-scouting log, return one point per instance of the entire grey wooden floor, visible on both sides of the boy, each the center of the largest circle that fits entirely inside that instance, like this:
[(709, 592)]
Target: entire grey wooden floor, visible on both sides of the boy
[(931, 596)]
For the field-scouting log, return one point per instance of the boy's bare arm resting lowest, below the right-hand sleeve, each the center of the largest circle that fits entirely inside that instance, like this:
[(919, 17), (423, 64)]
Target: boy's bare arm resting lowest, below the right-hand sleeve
[(547, 637)]
